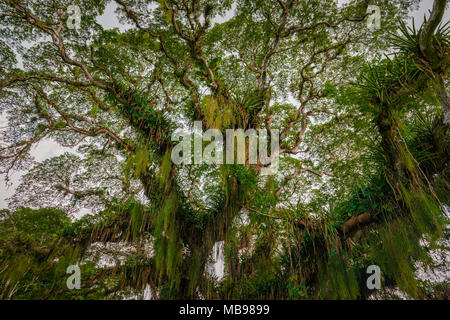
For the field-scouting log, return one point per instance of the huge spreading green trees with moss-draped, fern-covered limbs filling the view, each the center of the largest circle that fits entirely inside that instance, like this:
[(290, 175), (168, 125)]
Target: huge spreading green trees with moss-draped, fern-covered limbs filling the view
[(363, 179)]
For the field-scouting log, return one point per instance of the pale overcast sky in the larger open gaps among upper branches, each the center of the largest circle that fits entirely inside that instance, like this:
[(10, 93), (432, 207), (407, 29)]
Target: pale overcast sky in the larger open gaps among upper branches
[(48, 148)]
